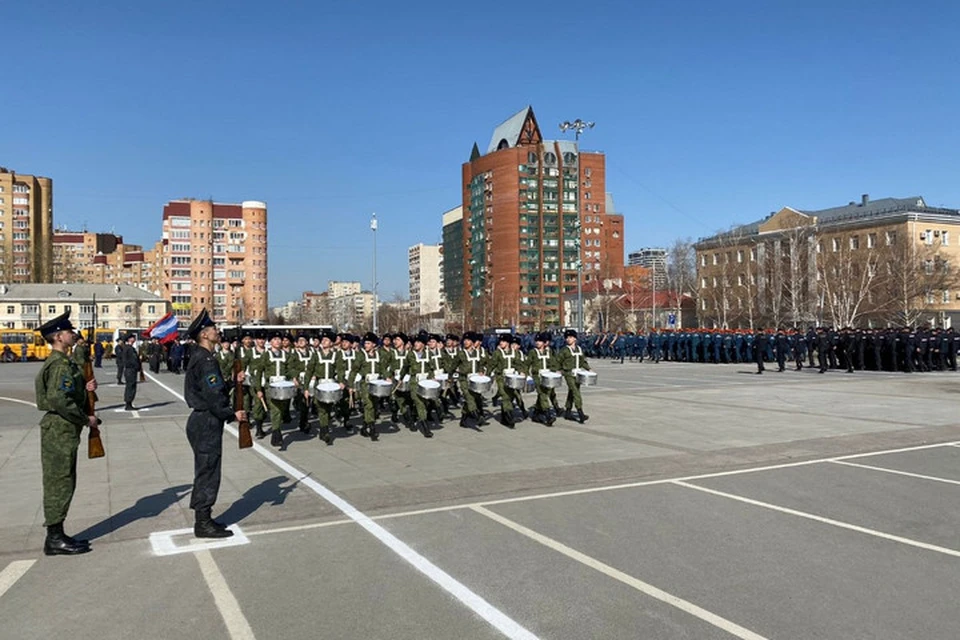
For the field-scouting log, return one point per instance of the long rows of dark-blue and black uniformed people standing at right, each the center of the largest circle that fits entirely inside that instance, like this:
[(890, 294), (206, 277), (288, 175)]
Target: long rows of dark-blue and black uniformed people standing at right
[(848, 349)]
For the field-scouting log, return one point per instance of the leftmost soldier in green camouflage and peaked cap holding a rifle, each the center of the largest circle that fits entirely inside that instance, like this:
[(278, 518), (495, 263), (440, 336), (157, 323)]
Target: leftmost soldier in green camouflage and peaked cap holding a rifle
[(62, 395)]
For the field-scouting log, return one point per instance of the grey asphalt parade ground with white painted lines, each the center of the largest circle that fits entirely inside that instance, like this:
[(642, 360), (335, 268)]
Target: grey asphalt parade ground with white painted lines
[(698, 501)]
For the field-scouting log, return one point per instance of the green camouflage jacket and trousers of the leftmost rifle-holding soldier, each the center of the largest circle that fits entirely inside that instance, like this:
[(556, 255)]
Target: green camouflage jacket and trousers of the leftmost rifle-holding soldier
[(61, 394)]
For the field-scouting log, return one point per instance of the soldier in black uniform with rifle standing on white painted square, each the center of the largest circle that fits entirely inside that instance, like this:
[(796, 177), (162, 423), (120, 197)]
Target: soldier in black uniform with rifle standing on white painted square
[(208, 394)]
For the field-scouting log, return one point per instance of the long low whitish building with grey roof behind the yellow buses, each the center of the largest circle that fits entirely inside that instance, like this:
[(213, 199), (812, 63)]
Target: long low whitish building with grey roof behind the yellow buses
[(27, 306)]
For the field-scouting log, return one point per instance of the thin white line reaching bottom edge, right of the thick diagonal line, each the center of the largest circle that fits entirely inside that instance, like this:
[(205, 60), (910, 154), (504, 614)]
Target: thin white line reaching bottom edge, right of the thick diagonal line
[(644, 587)]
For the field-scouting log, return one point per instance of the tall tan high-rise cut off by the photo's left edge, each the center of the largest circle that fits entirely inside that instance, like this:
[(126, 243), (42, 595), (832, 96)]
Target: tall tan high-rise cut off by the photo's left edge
[(26, 228)]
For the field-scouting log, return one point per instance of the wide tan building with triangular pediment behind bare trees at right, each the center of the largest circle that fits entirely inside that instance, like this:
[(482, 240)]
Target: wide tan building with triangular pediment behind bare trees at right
[(886, 262)]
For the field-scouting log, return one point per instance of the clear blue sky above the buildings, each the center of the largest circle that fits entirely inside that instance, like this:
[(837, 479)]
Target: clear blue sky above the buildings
[(710, 113)]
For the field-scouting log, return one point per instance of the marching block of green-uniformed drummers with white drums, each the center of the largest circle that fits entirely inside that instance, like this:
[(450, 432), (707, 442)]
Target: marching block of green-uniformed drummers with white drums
[(417, 380)]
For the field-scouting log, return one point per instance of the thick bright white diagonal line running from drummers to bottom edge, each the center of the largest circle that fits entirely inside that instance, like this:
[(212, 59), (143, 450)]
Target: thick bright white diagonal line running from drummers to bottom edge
[(506, 625)]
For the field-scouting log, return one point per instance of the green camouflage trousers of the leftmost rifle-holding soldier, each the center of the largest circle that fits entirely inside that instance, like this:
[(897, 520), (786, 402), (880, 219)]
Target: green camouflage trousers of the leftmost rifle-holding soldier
[(59, 441)]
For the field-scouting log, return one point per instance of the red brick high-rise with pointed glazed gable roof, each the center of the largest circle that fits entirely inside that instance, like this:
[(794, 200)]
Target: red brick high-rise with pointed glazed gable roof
[(531, 209)]
